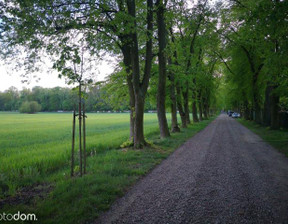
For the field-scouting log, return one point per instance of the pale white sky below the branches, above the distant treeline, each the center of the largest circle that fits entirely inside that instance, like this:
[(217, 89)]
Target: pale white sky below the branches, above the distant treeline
[(46, 80)]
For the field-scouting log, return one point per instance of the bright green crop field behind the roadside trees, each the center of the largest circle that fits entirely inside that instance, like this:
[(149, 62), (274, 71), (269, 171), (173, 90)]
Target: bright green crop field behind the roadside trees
[(33, 145)]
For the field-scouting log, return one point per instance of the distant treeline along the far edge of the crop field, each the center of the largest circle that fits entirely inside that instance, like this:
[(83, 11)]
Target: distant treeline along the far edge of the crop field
[(58, 98)]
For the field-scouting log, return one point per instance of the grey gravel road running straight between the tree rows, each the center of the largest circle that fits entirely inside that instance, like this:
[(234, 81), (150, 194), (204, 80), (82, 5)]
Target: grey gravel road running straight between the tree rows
[(224, 174)]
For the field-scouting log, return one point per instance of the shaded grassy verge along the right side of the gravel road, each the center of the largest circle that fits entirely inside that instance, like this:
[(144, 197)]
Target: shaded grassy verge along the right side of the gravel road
[(276, 138)]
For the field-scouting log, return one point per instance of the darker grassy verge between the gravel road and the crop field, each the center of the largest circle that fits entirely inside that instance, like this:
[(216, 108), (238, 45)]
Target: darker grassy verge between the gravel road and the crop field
[(110, 174)]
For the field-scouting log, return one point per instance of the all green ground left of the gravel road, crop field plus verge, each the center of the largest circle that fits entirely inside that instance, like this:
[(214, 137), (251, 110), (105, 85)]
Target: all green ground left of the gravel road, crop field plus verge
[(35, 153)]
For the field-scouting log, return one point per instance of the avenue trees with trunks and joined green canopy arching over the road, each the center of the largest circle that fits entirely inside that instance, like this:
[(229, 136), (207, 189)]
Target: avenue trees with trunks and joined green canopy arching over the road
[(198, 58)]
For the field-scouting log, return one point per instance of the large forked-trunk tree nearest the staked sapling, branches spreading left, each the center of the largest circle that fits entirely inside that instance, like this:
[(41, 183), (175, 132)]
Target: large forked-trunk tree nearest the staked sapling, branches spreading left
[(107, 25)]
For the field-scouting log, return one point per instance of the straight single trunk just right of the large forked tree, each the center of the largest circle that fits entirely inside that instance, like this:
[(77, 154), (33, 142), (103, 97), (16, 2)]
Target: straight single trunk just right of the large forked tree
[(161, 93)]
